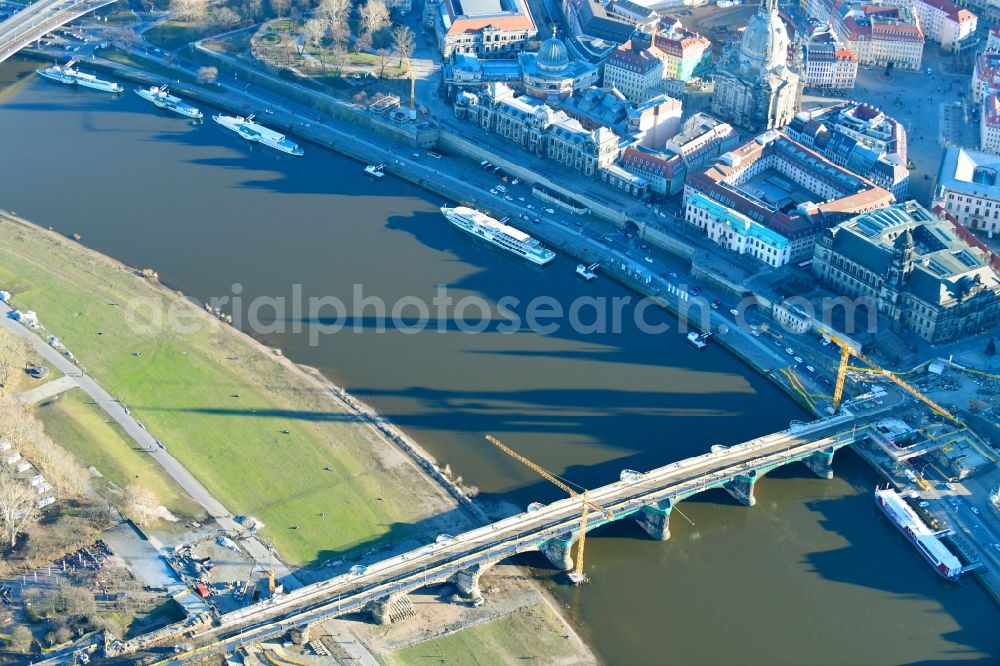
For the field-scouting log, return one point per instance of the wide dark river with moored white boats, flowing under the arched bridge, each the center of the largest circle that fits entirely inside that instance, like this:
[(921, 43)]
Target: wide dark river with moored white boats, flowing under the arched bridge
[(812, 574)]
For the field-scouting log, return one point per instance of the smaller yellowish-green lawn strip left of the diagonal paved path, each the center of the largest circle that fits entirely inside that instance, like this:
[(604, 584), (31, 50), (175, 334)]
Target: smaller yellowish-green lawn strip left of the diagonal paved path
[(86, 431)]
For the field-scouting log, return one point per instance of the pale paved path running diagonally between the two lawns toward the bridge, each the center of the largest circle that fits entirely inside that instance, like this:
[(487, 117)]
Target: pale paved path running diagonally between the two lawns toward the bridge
[(147, 442)]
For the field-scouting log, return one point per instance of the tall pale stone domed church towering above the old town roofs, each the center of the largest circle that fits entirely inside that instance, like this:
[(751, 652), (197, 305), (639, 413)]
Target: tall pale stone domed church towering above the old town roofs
[(754, 86)]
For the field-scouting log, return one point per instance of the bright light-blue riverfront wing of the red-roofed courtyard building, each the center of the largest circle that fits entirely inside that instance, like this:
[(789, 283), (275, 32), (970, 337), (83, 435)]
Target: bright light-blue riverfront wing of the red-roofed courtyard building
[(737, 232)]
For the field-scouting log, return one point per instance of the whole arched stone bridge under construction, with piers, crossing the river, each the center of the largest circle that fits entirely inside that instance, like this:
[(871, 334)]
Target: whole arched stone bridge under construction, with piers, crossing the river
[(647, 498)]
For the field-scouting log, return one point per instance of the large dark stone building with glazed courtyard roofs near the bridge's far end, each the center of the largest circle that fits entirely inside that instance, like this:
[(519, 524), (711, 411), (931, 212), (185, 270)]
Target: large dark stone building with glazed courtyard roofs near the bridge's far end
[(915, 268)]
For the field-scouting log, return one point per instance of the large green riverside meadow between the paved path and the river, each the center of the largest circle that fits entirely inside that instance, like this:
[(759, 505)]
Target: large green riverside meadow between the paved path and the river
[(181, 386)]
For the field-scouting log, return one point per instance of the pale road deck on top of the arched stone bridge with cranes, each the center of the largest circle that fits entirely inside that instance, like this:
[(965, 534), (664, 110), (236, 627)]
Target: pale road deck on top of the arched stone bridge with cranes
[(438, 562)]
